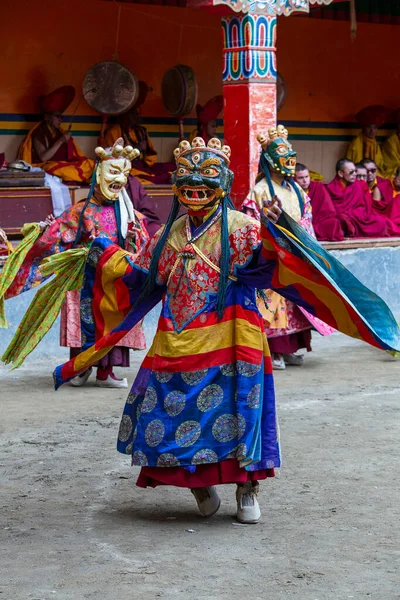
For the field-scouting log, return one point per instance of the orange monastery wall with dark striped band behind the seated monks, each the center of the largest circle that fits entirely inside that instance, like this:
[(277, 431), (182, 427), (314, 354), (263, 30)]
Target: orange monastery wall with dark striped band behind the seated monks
[(328, 76)]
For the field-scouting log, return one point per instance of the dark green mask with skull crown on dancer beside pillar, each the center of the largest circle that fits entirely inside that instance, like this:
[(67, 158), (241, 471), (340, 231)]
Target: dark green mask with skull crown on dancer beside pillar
[(277, 151)]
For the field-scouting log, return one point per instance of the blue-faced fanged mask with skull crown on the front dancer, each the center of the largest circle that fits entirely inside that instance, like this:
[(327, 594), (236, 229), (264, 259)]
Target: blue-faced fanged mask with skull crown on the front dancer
[(202, 175)]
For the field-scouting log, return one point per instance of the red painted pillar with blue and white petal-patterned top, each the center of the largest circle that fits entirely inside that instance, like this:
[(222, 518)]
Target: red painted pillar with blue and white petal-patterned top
[(249, 88)]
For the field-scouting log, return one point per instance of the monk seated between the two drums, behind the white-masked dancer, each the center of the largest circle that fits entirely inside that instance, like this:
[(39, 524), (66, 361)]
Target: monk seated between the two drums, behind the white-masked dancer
[(145, 168)]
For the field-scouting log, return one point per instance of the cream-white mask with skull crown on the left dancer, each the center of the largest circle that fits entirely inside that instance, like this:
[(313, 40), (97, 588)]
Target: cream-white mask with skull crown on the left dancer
[(114, 167)]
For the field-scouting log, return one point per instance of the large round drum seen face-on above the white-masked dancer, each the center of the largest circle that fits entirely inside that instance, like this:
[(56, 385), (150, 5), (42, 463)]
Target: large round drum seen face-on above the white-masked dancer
[(110, 88)]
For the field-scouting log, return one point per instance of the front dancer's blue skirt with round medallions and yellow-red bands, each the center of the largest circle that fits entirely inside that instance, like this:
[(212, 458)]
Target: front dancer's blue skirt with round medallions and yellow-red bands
[(225, 409)]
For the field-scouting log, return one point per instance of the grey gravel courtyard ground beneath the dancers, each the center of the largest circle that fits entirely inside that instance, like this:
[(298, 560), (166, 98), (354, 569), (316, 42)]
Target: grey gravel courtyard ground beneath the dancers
[(73, 524)]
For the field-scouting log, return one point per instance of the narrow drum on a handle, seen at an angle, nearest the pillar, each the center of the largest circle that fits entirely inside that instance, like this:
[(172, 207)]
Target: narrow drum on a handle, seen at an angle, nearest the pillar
[(179, 92)]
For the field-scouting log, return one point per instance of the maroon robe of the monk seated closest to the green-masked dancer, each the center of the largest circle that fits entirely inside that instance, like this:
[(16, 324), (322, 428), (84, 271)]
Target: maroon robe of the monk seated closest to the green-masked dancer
[(325, 220)]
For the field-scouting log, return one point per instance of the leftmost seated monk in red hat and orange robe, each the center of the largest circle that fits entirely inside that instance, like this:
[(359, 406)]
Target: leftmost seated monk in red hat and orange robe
[(48, 146)]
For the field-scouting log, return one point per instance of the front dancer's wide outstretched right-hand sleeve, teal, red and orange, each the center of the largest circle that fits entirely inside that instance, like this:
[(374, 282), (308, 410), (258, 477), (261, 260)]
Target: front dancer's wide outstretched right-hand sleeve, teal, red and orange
[(312, 277)]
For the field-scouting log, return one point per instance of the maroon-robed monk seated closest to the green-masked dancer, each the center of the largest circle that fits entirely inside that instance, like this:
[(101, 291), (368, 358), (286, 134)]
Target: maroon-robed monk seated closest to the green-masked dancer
[(324, 218)]
